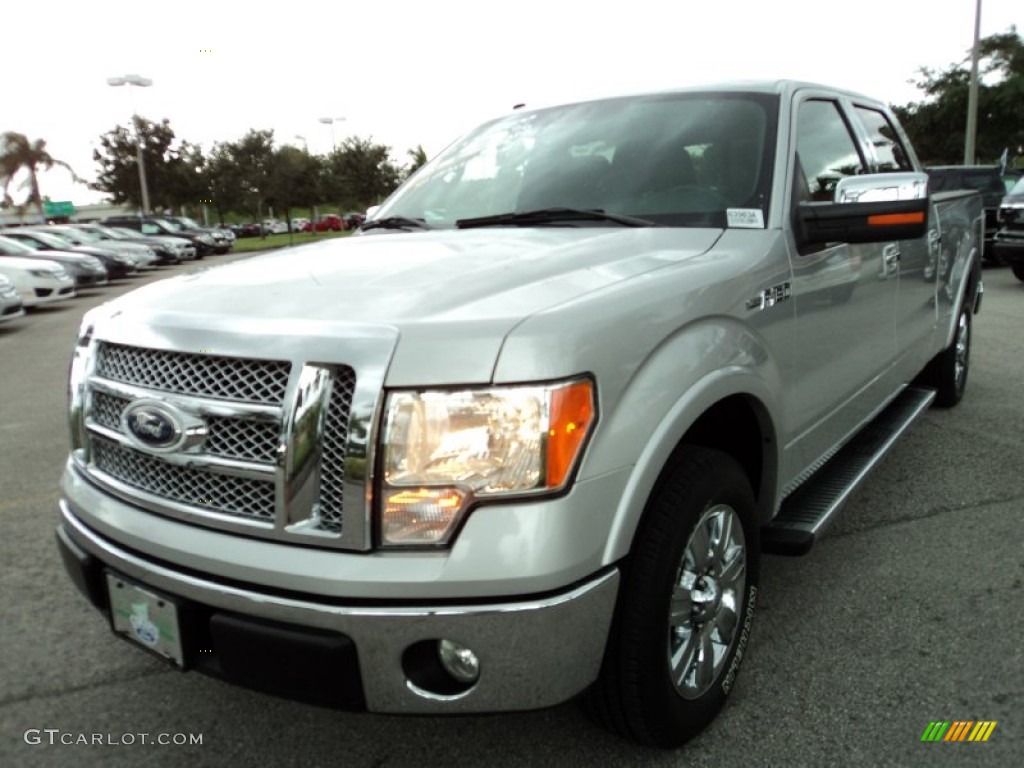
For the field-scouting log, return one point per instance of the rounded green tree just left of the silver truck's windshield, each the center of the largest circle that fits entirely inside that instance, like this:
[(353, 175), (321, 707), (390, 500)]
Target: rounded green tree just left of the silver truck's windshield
[(360, 174)]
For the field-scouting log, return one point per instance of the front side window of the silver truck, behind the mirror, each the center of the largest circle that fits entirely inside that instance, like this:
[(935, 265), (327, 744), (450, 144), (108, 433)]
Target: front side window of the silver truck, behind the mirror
[(826, 151)]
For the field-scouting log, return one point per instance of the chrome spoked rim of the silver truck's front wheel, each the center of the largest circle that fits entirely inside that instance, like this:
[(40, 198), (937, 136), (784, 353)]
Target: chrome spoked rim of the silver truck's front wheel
[(704, 613)]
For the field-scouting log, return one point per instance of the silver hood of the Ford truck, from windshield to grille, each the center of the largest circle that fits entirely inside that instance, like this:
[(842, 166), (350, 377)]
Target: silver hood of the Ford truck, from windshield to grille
[(446, 300)]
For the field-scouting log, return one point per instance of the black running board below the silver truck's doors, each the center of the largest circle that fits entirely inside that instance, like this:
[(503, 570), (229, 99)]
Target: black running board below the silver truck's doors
[(807, 511)]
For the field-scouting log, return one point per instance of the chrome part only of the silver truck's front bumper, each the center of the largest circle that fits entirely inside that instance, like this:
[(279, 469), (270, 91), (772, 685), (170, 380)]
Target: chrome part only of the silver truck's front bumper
[(534, 653)]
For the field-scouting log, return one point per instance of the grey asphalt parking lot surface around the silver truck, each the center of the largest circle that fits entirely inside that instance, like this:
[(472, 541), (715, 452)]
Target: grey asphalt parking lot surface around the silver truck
[(912, 610)]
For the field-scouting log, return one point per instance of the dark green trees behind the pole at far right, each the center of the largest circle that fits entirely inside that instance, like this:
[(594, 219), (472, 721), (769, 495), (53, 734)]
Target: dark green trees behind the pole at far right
[(937, 125)]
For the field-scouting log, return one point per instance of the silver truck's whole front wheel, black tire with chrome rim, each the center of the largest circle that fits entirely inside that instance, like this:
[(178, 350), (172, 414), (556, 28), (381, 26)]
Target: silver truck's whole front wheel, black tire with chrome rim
[(636, 695)]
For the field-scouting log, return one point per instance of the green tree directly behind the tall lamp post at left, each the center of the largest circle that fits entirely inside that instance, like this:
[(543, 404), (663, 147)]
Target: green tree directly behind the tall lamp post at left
[(174, 169)]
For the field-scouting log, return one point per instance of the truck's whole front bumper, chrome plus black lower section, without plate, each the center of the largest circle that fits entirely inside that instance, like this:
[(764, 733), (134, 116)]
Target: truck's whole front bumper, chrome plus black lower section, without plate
[(534, 652)]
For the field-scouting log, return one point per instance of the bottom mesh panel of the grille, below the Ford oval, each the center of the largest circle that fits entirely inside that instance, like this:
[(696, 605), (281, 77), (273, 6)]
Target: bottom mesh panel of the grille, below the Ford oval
[(229, 495)]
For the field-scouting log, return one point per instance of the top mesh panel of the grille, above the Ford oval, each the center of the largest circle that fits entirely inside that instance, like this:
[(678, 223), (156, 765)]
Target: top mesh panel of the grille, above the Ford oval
[(238, 379)]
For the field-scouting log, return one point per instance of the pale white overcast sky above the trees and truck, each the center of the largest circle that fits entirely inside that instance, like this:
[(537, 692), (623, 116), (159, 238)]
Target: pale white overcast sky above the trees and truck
[(408, 73)]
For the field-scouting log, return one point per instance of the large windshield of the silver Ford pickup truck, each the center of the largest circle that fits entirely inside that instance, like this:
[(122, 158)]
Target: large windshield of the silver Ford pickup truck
[(680, 160)]
